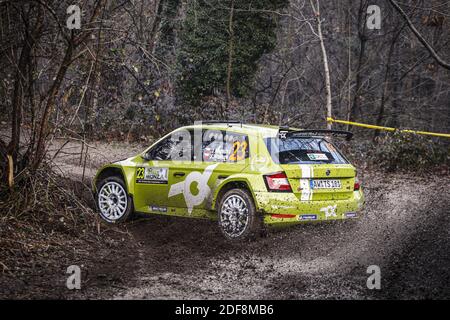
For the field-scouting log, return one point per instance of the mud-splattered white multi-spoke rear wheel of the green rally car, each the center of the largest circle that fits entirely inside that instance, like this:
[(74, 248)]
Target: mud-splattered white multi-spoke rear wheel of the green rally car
[(237, 215)]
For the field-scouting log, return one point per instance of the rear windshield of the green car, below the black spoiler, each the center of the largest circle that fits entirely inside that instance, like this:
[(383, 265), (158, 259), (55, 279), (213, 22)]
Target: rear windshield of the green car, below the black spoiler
[(303, 150)]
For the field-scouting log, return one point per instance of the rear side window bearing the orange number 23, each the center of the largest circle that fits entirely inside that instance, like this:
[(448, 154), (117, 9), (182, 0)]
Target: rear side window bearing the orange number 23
[(222, 146)]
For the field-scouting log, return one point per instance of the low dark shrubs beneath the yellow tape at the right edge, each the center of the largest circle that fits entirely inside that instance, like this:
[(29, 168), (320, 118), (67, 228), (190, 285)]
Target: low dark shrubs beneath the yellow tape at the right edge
[(409, 151)]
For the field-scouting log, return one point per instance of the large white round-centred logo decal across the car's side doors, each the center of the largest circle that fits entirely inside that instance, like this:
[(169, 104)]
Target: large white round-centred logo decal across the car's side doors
[(184, 187)]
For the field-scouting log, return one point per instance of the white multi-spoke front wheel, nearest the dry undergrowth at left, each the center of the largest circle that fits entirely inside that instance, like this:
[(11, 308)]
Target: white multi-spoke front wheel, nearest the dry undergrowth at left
[(113, 202)]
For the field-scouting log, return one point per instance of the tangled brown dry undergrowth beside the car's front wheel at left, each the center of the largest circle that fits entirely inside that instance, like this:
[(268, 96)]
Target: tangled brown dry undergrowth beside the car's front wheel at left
[(47, 223)]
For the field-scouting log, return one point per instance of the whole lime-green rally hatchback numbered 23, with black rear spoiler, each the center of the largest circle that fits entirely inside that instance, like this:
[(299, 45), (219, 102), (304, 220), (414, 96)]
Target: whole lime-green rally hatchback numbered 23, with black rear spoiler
[(243, 175)]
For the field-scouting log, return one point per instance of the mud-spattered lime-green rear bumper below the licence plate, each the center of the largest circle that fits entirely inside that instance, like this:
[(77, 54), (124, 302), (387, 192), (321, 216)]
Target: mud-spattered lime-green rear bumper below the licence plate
[(287, 208)]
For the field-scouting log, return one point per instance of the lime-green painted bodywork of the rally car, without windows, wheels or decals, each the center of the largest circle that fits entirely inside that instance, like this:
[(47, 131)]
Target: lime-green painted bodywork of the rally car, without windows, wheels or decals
[(155, 199)]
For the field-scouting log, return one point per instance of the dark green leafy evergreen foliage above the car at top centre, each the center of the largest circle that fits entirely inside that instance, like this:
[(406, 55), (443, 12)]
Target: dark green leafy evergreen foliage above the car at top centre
[(205, 44)]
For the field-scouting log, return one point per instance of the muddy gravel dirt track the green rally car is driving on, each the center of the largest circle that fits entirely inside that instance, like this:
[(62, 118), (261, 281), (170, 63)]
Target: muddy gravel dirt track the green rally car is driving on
[(405, 231)]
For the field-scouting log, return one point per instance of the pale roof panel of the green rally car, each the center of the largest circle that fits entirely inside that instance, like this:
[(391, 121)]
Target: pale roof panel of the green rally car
[(264, 130)]
